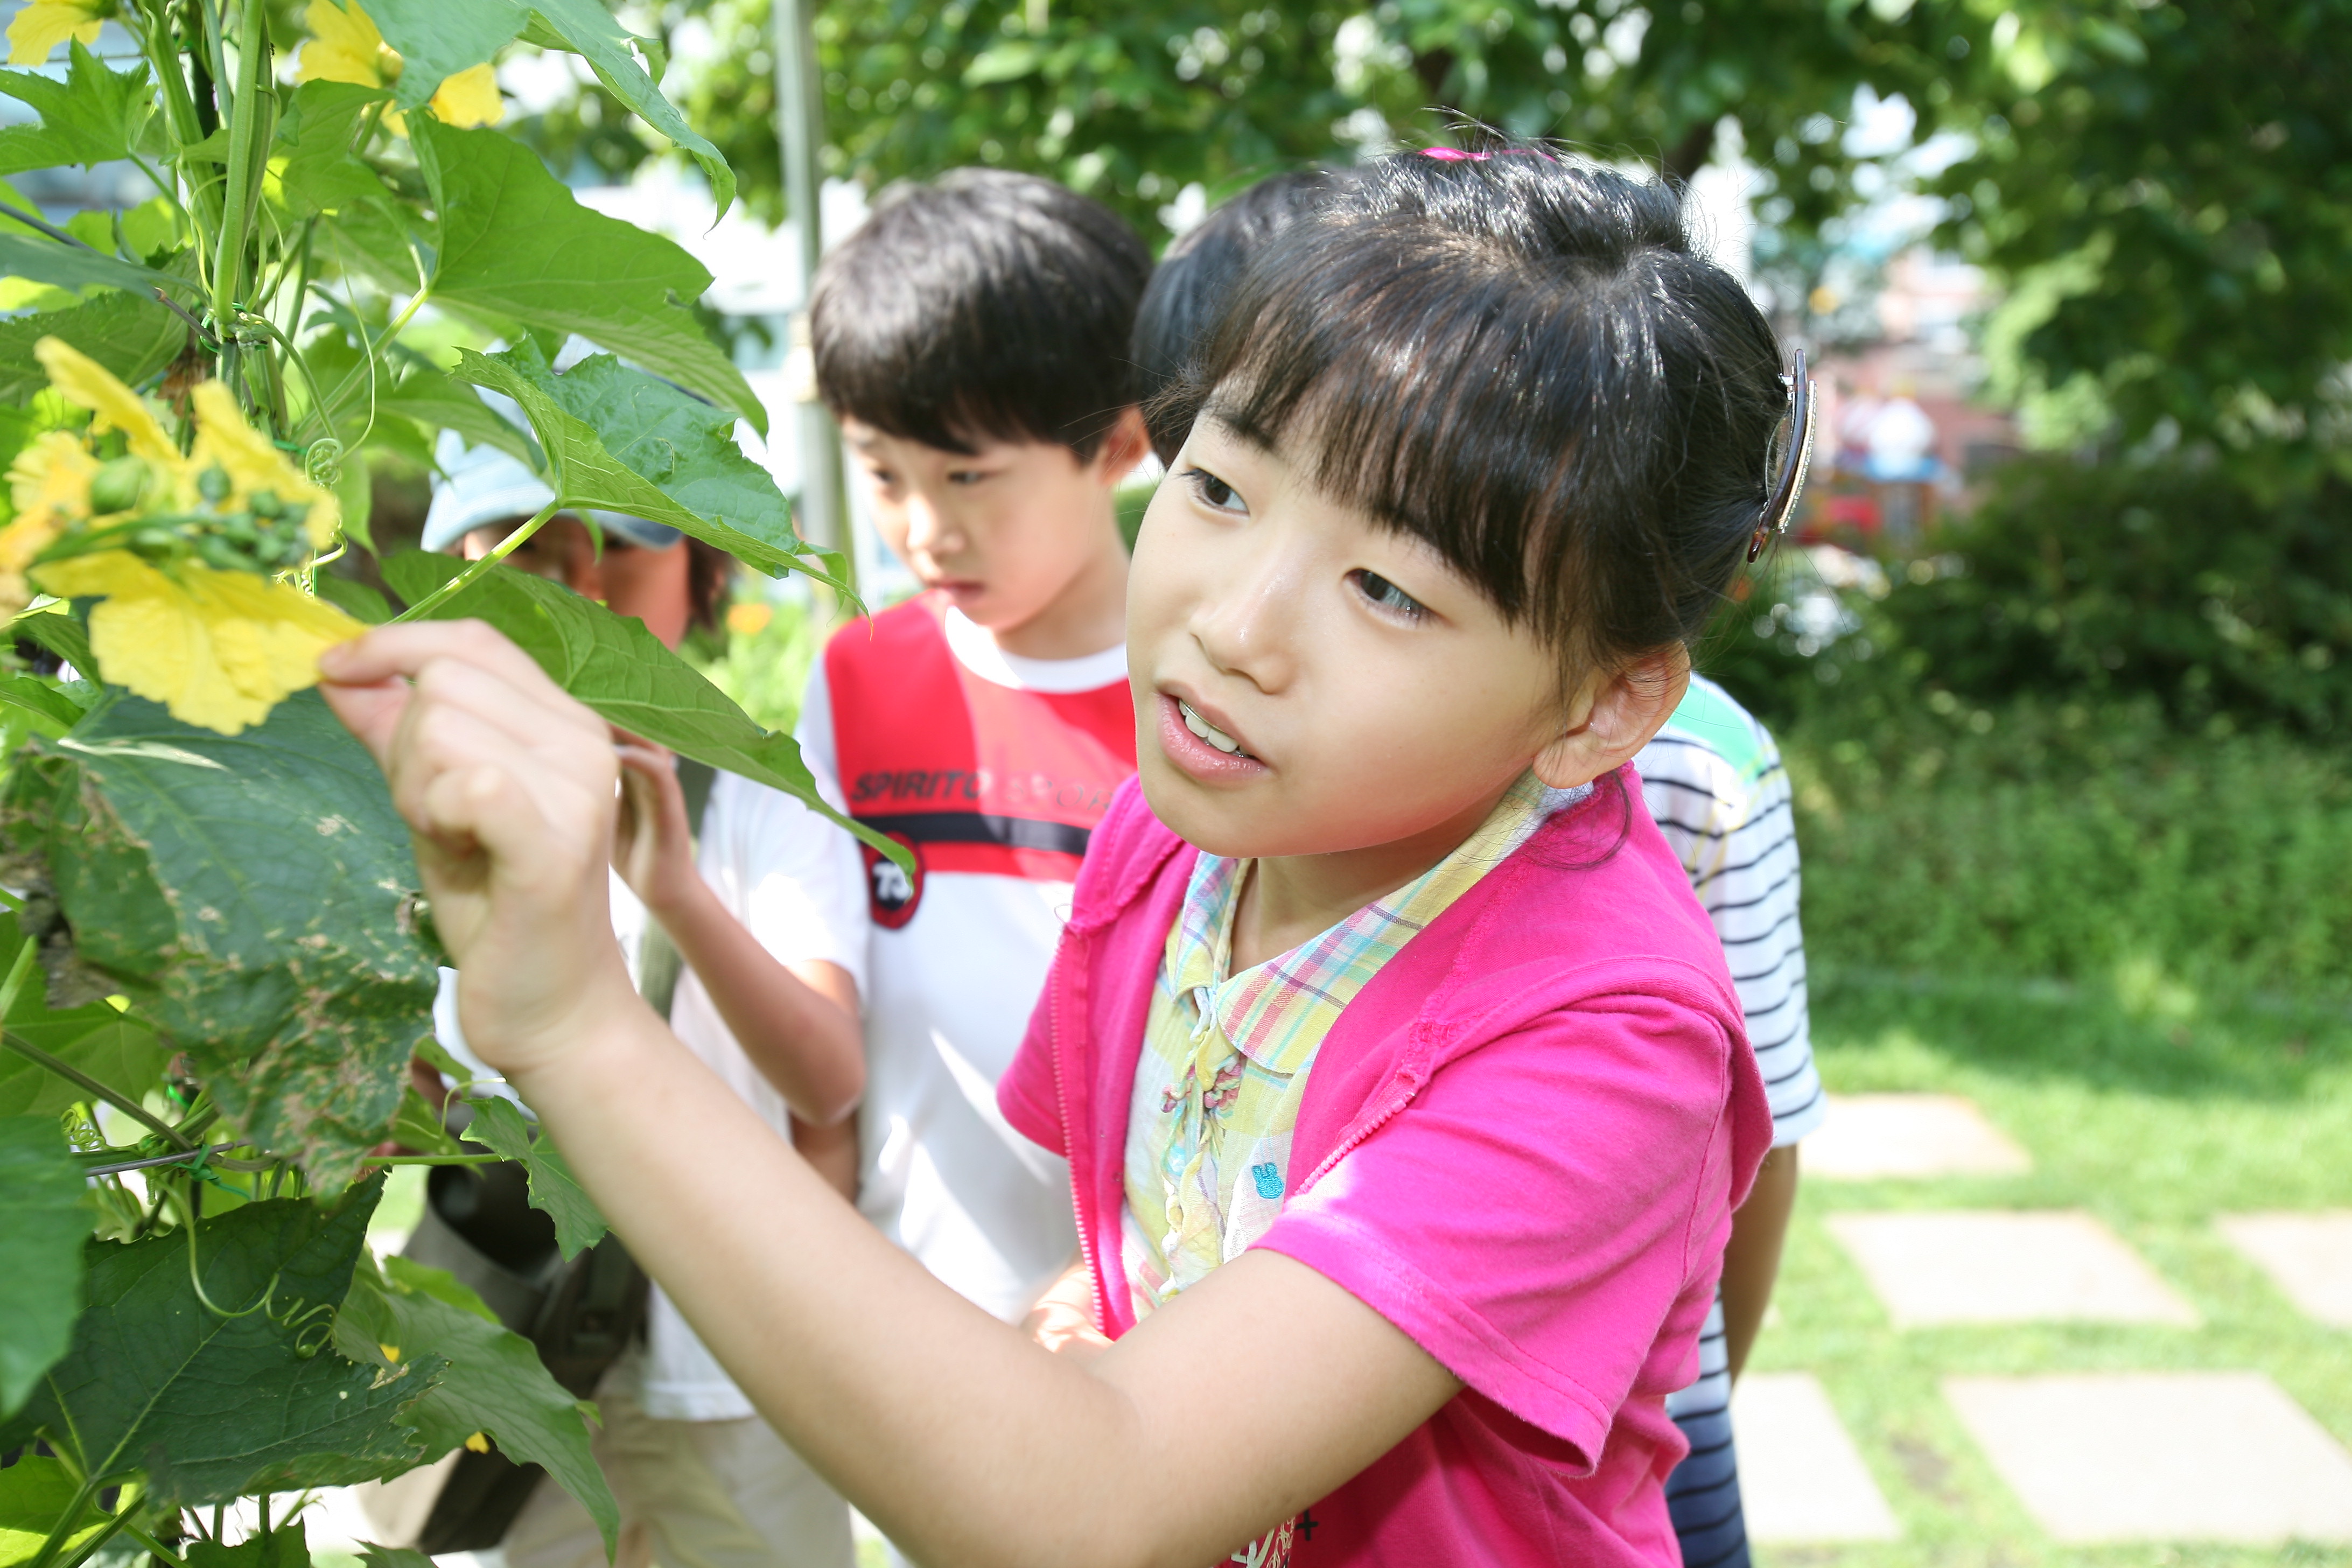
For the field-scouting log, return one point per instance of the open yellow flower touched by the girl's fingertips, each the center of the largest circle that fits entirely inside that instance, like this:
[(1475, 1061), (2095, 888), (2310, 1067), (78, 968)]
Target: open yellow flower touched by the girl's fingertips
[(215, 648)]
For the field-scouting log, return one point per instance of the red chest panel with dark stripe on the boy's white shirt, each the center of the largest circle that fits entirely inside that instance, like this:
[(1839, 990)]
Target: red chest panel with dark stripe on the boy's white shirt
[(970, 775)]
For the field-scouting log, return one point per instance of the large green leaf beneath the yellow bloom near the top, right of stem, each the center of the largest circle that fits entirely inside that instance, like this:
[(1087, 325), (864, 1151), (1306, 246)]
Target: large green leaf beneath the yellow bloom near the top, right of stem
[(514, 243)]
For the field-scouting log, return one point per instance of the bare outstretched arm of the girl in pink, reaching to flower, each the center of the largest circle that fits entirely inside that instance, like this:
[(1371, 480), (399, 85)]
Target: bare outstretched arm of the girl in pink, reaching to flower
[(1222, 1416)]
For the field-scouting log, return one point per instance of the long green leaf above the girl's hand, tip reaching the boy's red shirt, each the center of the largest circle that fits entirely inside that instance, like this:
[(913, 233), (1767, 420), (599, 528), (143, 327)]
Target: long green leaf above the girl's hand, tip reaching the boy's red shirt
[(622, 671)]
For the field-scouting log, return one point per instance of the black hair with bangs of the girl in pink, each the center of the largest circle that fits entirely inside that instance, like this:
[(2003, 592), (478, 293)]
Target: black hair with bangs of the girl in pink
[(1523, 363)]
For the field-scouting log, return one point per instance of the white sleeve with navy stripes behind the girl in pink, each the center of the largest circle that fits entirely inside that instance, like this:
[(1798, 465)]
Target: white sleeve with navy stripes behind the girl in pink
[(1720, 793)]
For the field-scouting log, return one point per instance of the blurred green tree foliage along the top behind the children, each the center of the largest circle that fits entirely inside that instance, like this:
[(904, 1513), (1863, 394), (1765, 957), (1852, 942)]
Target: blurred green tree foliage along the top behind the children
[(2170, 182)]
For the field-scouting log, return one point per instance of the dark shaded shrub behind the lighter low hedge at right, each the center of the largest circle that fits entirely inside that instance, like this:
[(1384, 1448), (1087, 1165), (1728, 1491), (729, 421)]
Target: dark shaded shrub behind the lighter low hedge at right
[(2123, 582)]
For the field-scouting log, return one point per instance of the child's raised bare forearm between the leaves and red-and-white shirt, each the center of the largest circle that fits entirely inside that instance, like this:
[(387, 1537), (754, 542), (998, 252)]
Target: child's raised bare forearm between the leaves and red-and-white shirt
[(799, 1024)]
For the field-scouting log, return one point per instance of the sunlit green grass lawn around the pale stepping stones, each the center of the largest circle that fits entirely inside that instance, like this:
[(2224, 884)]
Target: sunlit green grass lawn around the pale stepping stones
[(2144, 1104)]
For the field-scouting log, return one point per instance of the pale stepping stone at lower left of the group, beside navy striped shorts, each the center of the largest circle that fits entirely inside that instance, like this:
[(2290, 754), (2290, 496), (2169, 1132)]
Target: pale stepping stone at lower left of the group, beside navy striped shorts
[(1800, 1475)]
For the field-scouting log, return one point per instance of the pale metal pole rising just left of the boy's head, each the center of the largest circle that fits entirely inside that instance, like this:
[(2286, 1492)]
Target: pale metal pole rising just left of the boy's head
[(801, 128)]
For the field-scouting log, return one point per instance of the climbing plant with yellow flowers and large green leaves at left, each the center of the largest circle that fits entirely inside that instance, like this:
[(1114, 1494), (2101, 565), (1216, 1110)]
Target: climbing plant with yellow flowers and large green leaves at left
[(215, 960)]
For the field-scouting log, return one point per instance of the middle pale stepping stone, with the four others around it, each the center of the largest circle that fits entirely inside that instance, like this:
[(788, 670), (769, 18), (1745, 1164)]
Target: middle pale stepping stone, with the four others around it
[(2005, 1268)]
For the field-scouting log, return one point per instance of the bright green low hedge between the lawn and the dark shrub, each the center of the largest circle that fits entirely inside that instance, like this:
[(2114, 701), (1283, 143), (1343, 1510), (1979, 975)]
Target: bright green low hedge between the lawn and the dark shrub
[(2080, 843)]
